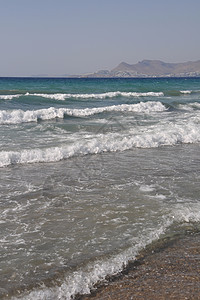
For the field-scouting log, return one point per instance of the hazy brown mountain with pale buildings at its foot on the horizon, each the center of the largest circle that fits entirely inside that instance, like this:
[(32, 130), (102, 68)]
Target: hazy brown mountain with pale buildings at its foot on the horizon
[(152, 68)]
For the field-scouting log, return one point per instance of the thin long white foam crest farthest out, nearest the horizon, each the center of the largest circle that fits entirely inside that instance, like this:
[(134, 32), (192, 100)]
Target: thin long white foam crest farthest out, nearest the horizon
[(62, 96)]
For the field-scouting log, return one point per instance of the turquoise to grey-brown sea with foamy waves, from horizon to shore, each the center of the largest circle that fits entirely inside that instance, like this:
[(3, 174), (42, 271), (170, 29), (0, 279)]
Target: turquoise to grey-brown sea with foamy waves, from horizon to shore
[(92, 171)]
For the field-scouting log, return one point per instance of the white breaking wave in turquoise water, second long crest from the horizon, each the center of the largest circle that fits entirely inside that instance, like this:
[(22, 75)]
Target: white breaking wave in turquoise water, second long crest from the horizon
[(20, 116)]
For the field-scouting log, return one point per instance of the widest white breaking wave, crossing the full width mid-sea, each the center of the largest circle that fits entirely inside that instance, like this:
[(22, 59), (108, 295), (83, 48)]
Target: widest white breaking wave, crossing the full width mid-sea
[(111, 142)]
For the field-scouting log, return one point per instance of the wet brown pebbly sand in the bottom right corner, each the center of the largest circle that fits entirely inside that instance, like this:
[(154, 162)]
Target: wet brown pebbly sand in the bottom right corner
[(173, 272)]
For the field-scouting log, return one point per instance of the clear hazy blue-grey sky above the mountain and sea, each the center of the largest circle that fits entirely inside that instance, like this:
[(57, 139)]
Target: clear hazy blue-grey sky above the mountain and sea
[(58, 37)]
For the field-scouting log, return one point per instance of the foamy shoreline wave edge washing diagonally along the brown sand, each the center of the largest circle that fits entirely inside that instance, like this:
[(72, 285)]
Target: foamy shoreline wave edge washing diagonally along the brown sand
[(82, 281)]
